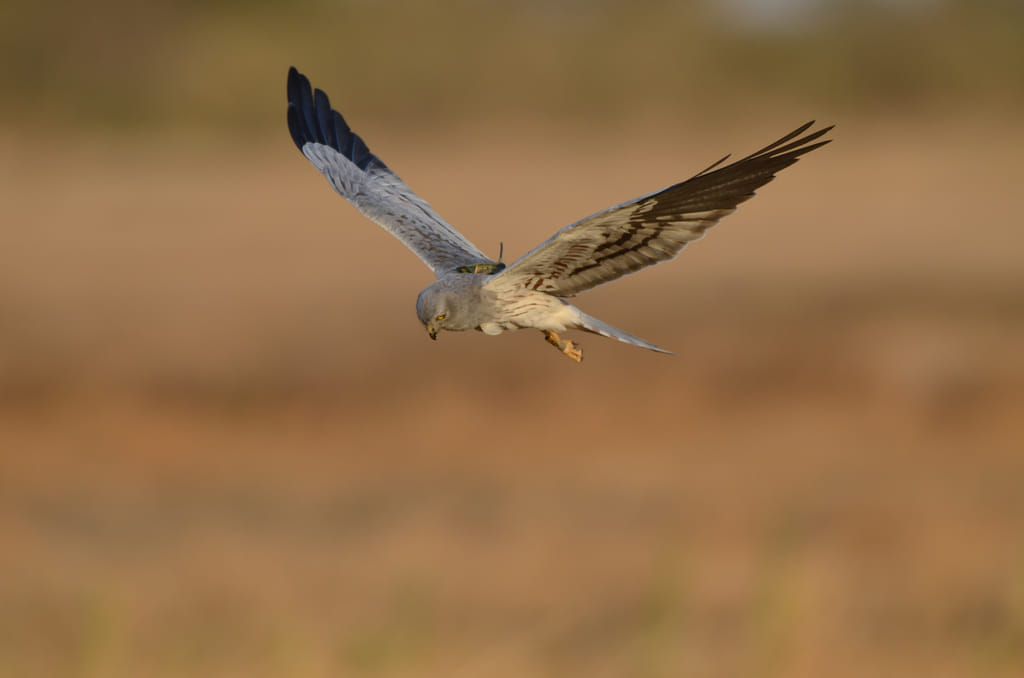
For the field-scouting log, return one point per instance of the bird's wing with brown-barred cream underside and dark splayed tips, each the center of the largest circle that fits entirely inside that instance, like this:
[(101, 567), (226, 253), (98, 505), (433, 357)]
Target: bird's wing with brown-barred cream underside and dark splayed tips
[(652, 229)]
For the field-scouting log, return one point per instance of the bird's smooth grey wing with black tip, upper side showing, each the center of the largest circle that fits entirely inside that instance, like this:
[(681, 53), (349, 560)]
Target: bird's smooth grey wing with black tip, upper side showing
[(363, 180)]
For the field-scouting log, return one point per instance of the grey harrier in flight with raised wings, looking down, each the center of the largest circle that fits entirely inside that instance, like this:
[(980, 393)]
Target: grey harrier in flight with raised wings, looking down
[(475, 292)]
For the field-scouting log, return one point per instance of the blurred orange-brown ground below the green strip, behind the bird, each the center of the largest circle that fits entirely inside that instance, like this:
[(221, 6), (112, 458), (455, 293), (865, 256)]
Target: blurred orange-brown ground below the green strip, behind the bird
[(226, 454)]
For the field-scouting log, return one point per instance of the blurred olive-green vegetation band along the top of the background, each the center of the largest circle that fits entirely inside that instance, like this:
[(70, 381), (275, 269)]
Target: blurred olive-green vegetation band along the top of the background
[(180, 63)]
